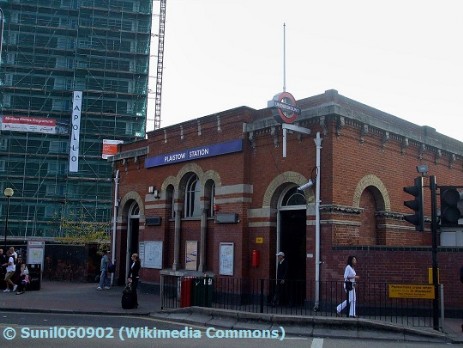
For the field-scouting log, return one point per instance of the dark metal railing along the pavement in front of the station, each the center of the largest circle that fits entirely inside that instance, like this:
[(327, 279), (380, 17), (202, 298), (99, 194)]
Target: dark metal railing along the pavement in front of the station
[(296, 298)]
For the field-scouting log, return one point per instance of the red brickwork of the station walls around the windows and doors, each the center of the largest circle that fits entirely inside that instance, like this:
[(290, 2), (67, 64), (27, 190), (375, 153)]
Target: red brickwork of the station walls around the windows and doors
[(388, 248)]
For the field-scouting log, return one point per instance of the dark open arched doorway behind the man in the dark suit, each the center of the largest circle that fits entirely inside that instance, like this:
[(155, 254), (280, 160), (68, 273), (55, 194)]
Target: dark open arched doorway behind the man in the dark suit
[(292, 241)]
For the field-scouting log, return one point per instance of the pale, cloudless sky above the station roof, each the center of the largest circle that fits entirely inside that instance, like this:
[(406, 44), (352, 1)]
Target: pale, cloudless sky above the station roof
[(403, 57)]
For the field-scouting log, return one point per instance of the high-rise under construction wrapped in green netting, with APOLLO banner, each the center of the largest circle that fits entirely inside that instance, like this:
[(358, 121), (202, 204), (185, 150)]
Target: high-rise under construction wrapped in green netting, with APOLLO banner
[(74, 75)]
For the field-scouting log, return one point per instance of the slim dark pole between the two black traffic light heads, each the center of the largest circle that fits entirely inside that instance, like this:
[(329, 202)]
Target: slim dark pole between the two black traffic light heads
[(435, 280)]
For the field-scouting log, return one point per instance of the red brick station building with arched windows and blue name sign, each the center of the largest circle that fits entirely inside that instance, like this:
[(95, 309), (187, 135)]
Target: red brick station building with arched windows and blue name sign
[(216, 195)]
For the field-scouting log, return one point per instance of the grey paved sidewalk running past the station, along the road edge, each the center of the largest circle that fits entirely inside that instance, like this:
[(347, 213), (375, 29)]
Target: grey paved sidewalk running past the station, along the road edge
[(67, 297)]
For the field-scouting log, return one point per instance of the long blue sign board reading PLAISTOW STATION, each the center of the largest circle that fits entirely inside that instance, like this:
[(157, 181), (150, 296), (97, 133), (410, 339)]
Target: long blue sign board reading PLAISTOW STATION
[(195, 153)]
